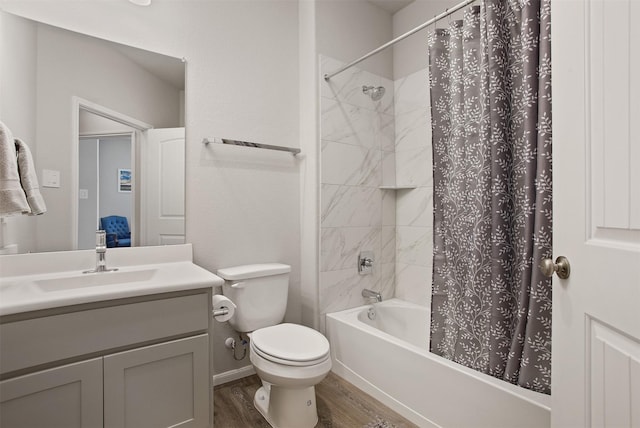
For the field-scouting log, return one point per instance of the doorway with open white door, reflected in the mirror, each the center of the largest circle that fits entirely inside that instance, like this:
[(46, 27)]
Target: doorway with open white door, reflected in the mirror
[(132, 174)]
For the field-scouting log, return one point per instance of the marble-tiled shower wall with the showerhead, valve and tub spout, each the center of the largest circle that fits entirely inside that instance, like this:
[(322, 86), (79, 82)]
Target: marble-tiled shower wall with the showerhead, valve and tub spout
[(358, 156)]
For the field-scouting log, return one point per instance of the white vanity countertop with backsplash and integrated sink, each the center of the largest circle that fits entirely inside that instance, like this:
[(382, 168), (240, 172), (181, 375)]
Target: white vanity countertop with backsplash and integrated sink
[(50, 280)]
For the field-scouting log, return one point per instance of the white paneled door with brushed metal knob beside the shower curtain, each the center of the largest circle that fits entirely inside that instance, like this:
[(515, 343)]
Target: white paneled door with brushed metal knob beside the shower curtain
[(596, 156)]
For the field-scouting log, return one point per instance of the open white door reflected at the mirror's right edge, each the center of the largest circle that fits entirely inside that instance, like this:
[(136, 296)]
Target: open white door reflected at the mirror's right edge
[(162, 207)]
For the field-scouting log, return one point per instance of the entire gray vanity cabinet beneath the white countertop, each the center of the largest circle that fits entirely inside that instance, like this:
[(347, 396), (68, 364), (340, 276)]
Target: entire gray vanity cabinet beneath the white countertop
[(140, 362)]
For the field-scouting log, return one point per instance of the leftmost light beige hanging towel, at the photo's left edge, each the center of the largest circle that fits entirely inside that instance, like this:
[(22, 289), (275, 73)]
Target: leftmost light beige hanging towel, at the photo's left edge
[(13, 200)]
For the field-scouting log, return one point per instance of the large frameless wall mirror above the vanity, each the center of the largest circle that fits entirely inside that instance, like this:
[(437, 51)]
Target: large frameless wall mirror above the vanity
[(109, 122)]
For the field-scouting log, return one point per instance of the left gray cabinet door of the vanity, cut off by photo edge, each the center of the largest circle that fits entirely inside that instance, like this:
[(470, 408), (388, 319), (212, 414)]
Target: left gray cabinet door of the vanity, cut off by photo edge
[(67, 396)]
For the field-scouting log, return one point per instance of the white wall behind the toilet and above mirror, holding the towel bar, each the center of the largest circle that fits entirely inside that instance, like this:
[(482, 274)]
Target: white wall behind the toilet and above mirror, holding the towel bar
[(242, 205)]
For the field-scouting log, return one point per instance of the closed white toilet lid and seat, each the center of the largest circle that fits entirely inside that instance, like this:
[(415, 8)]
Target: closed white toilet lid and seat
[(290, 344)]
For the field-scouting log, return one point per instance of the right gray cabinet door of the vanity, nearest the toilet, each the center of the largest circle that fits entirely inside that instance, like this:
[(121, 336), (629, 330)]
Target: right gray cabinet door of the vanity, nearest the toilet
[(158, 386)]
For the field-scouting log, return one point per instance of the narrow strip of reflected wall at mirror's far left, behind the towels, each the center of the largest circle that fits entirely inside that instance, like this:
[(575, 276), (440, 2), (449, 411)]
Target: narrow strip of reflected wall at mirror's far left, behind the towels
[(18, 108)]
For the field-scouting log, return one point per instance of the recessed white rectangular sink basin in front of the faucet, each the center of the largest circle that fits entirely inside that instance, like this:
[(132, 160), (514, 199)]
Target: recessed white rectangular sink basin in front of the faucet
[(94, 279)]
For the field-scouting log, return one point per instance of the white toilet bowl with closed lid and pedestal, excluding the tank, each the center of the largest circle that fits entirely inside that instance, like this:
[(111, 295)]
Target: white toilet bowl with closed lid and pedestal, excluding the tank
[(290, 360)]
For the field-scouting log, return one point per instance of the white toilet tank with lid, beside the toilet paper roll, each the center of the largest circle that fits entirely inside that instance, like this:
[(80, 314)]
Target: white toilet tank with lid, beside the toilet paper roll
[(260, 293)]
